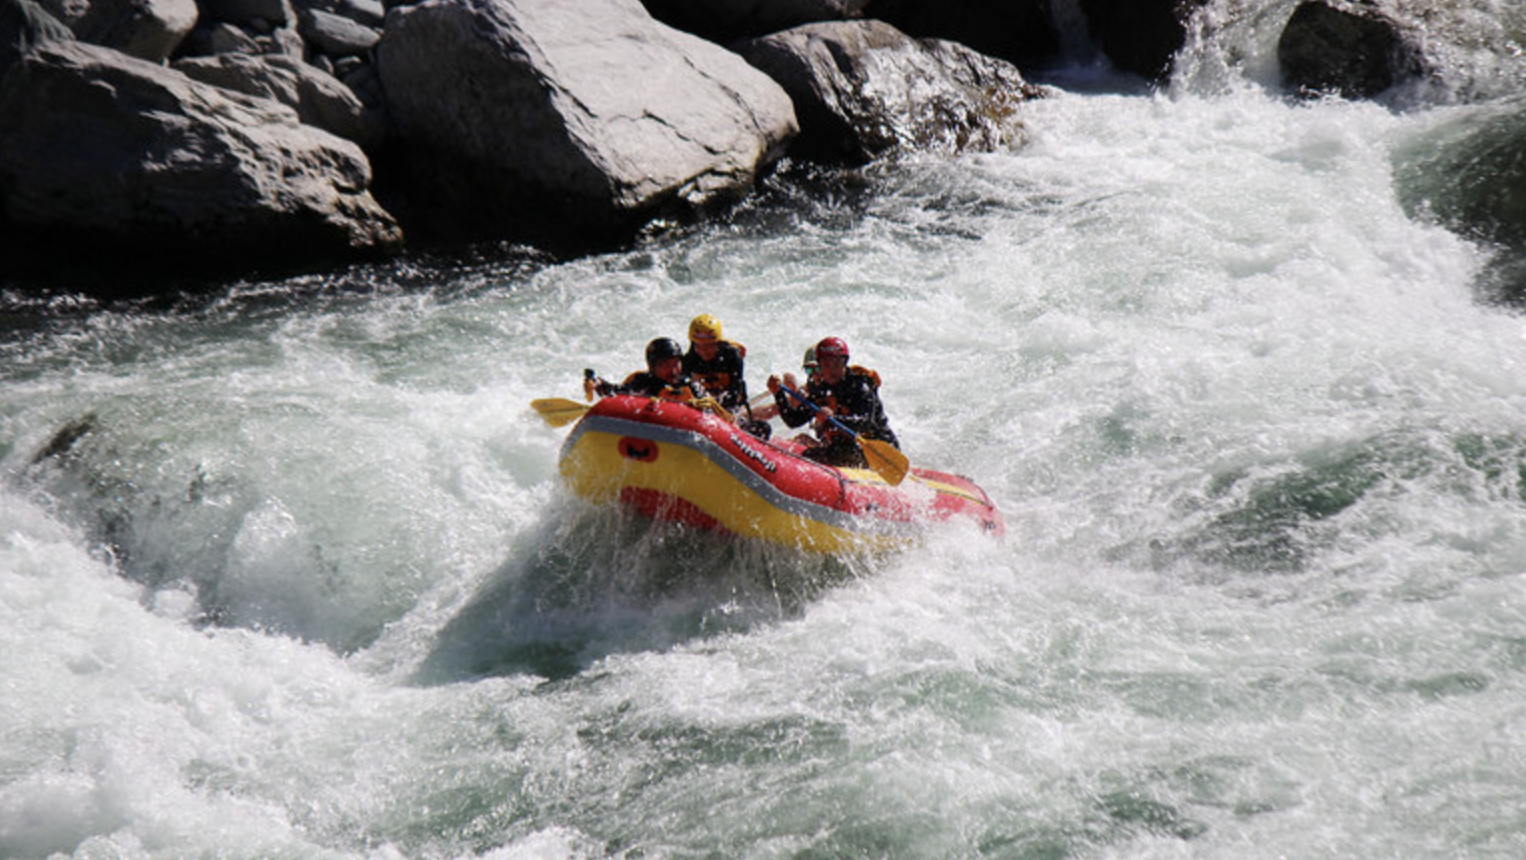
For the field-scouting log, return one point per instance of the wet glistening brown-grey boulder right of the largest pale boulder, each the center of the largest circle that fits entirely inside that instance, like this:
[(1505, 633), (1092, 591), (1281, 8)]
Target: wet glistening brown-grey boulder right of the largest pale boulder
[(864, 89)]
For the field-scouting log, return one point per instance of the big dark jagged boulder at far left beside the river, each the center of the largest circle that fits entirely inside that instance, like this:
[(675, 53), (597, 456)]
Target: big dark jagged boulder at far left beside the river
[(97, 147)]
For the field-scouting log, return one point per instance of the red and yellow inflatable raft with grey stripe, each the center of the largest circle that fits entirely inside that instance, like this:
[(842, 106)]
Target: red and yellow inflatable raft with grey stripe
[(675, 463)]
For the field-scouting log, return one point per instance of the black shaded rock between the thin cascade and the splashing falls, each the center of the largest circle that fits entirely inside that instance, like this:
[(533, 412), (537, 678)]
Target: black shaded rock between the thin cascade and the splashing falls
[(1141, 36)]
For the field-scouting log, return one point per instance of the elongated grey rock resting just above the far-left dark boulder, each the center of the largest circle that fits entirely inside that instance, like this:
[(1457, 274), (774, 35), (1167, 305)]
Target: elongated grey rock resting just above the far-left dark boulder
[(318, 98)]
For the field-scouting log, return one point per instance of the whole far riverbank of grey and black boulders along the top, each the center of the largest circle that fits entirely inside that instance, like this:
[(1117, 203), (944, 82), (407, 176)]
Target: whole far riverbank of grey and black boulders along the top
[(217, 135)]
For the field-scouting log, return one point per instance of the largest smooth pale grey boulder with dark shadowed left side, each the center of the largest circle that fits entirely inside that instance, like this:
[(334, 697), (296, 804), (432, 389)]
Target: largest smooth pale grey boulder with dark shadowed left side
[(513, 114)]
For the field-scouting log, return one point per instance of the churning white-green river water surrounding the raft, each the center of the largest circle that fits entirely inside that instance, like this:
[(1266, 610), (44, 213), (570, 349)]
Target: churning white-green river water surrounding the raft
[(286, 571)]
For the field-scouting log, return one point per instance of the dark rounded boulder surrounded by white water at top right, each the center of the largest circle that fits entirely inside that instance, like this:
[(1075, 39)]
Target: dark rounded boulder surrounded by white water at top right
[(1351, 50)]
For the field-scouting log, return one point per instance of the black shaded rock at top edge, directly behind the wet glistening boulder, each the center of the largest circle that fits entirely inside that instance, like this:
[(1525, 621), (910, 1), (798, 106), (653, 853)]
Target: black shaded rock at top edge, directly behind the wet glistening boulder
[(1019, 31)]
